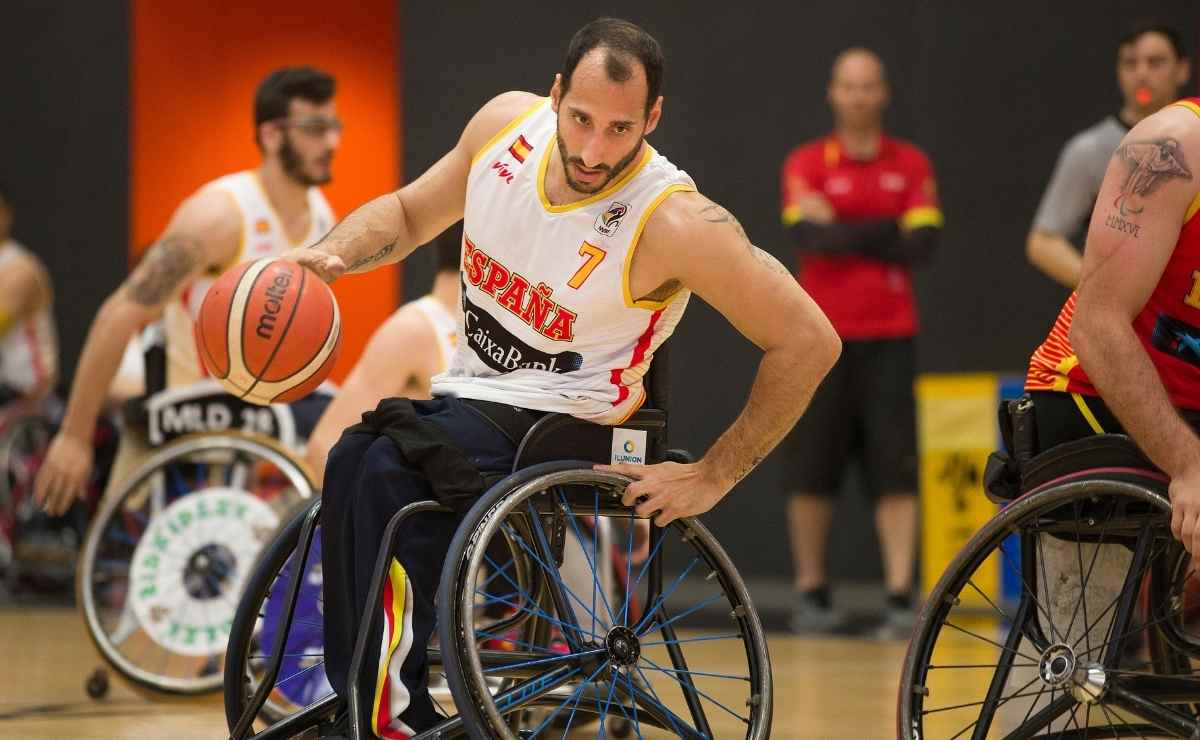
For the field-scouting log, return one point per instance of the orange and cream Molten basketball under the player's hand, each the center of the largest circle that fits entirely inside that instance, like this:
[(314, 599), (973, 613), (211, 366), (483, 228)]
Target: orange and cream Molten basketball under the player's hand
[(269, 332)]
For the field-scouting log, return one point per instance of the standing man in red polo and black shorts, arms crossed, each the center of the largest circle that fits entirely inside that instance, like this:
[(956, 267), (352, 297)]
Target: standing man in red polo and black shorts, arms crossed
[(862, 208)]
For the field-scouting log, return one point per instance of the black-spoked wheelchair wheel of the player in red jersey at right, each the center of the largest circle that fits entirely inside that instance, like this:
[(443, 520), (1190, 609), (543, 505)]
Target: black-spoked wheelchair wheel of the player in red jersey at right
[(1042, 627)]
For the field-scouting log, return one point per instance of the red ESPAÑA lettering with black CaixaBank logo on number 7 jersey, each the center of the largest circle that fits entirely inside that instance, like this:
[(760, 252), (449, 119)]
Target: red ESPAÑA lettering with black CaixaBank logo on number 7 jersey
[(496, 346)]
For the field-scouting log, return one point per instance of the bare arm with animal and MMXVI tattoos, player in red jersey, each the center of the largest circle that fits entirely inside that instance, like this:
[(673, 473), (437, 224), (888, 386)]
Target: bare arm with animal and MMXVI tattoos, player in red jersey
[(1147, 192)]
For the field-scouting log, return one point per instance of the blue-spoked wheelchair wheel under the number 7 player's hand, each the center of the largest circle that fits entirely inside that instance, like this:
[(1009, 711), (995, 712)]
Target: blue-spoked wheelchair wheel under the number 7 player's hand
[(581, 657)]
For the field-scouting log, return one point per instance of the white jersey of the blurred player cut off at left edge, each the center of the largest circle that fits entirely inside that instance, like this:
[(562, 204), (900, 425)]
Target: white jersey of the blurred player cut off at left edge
[(29, 350)]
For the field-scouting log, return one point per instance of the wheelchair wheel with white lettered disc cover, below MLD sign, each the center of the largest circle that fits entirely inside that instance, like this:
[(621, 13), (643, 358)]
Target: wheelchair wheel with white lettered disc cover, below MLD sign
[(166, 557)]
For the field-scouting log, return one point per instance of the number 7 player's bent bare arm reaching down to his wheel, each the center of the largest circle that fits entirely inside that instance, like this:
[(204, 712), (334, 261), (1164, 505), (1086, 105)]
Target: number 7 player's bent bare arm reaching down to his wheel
[(706, 250)]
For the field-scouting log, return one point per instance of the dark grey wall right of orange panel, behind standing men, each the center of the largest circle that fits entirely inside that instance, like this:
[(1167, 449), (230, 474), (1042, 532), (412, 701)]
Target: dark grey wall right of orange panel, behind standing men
[(989, 91)]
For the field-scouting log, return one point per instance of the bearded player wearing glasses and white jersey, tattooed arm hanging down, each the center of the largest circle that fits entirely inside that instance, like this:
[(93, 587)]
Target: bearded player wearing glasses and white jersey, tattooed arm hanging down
[(248, 215)]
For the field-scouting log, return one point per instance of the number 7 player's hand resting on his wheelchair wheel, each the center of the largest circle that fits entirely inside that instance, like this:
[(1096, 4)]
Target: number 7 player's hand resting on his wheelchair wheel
[(669, 491)]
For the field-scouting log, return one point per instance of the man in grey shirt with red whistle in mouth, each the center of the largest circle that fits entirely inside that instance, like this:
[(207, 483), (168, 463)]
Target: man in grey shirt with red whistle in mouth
[(1151, 69)]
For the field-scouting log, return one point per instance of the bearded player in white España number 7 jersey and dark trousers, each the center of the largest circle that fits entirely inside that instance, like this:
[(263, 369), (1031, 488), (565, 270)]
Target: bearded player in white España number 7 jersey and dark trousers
[(581, 249)]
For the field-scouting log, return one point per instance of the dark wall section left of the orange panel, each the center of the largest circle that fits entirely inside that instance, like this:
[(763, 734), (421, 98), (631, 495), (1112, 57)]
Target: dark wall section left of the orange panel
[(64, 148)]
